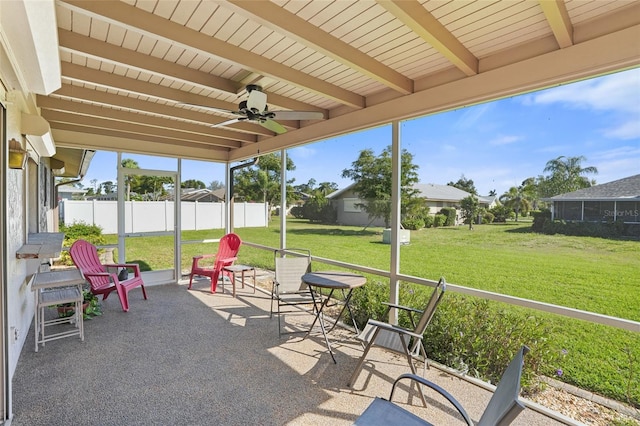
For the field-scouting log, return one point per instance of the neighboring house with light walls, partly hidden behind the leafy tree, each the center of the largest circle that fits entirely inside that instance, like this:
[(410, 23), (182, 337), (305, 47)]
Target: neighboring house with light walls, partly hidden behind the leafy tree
[(436, 198)]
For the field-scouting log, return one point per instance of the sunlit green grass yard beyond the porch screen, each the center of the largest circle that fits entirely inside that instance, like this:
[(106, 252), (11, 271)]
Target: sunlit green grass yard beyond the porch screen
[(592, 274)]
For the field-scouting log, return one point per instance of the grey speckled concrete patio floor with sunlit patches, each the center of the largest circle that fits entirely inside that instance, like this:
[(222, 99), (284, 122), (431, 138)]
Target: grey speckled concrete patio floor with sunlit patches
[(190, 357)]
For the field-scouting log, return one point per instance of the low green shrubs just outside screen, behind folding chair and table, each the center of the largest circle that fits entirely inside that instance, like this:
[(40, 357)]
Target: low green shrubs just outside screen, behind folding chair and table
[(477, 337)]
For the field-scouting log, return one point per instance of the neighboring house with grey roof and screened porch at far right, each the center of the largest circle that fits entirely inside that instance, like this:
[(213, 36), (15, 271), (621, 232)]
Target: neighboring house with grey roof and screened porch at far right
[(614, 201)]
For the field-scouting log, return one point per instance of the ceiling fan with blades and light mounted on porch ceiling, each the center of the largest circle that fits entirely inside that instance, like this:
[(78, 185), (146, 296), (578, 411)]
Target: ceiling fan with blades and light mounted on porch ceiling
[(255, 109)]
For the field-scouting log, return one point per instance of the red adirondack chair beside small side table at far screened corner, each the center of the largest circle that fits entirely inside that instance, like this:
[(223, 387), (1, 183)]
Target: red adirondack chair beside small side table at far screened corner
[(227, 254)]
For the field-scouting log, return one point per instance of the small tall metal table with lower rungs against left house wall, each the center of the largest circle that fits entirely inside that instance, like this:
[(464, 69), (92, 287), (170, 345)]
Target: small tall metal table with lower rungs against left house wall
[(54, 288)]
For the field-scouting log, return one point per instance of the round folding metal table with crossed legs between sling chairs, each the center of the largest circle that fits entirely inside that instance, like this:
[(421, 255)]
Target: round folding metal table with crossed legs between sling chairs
[(333, 280)]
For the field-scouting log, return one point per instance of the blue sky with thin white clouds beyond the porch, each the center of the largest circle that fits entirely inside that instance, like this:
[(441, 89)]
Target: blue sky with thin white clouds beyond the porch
[(497, 144)]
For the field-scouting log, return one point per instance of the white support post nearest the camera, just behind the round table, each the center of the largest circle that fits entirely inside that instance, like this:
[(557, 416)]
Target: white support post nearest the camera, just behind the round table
[(396, 170)]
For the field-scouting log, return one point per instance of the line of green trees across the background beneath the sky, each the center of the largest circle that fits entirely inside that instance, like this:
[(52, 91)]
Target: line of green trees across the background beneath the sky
[(371, 175)]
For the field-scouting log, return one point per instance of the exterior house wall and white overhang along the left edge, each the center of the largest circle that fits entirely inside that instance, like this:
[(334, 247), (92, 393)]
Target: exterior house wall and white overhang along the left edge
[(29, 65)]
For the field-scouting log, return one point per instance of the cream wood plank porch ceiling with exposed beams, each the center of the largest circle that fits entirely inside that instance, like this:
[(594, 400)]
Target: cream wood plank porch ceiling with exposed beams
[(139, 74)]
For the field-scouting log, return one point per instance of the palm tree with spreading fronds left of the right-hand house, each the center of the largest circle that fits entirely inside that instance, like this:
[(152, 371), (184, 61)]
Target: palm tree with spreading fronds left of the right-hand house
[(567, 175)]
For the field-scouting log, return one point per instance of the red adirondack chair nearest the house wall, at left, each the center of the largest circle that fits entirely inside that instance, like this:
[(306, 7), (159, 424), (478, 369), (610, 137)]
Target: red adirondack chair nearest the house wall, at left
[(85, 256)]
